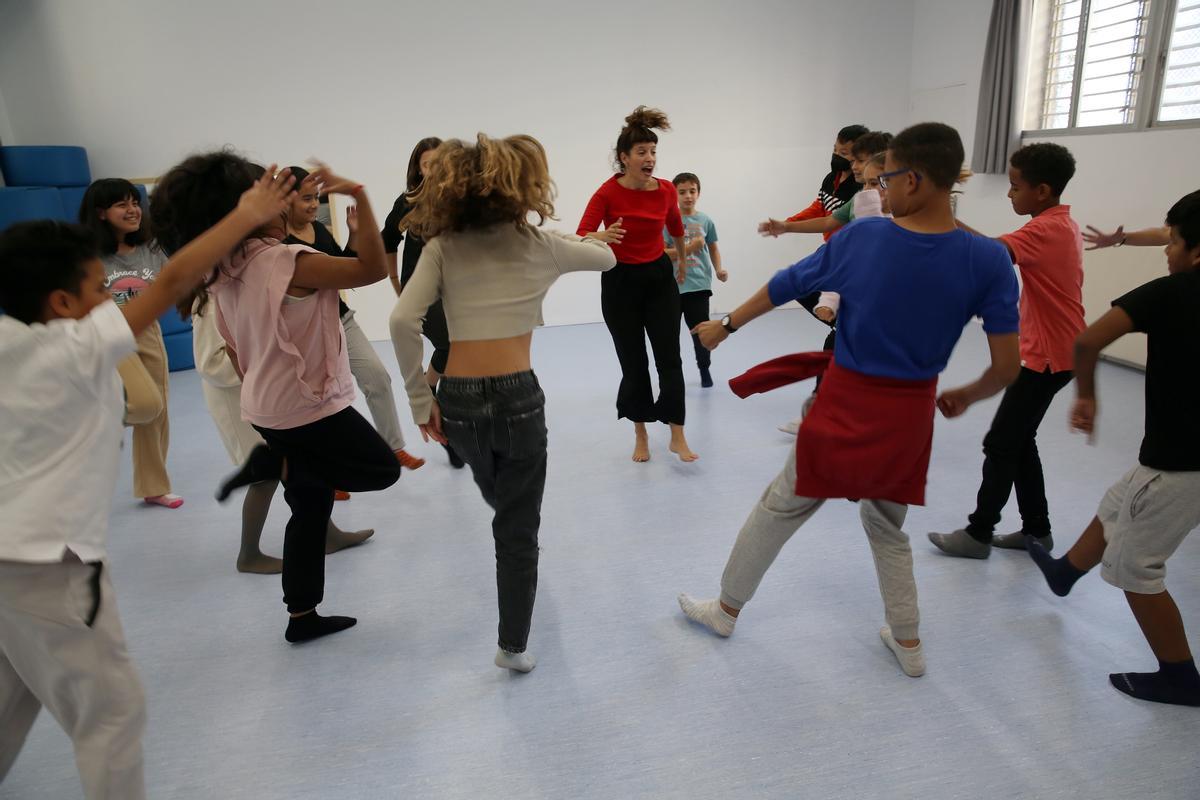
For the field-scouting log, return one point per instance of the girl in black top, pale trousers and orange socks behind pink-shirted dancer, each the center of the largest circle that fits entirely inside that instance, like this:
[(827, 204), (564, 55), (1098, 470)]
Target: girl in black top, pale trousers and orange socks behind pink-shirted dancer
[(369, 372)]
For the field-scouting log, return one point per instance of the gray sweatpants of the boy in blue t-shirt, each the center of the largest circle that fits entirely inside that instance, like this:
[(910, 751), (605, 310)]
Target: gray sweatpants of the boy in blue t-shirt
[(781, 513)]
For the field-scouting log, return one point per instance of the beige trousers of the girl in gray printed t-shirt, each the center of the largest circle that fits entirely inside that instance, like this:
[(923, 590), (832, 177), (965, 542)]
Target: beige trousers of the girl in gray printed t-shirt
[(145, 376)]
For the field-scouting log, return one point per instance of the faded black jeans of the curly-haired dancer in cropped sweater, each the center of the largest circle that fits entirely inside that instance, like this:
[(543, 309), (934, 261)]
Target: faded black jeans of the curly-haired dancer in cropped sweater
[(499, 428)]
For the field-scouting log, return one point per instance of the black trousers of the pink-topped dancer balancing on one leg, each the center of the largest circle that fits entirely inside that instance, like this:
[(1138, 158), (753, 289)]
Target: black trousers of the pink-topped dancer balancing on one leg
[(341, 450)]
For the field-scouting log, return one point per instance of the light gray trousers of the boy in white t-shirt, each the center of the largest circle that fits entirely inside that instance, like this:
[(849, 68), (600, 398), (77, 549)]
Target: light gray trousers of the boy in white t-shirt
[(82, 675)]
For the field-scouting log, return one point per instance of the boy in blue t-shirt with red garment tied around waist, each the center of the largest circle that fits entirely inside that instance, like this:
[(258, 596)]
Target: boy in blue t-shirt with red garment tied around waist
[(869, 434)]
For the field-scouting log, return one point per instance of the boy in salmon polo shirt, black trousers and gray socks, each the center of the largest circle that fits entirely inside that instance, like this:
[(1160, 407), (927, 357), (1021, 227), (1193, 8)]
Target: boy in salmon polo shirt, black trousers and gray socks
[(1049, 254)]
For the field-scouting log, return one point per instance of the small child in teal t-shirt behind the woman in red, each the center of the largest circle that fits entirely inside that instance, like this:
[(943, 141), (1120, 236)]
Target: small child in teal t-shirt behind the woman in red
[(704, 260)]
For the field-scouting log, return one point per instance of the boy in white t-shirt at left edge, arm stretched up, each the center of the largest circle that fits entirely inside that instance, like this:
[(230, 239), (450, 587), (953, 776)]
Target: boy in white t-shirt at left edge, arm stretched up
[(62, 407)]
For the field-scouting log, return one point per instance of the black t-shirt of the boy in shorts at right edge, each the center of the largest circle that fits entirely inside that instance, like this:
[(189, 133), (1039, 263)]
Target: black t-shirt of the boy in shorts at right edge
[(1166, 310)]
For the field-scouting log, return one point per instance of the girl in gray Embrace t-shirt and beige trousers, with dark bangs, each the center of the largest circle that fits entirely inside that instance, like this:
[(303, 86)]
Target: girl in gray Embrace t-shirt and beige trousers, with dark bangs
[(112, 210)]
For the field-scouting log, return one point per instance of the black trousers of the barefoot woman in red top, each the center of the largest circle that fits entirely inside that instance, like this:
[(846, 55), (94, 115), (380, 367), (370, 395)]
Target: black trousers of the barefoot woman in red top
[(640, 302)]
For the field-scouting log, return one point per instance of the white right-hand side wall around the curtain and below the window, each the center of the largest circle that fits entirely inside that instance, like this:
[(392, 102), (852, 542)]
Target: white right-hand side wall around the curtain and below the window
[(1121, 178)]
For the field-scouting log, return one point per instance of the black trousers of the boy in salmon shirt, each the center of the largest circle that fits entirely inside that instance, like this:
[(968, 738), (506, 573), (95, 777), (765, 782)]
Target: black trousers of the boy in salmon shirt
[(1011, 456)]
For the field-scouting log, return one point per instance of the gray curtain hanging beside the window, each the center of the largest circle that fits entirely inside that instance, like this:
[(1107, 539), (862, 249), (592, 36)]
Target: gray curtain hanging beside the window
[(998, 128)]
